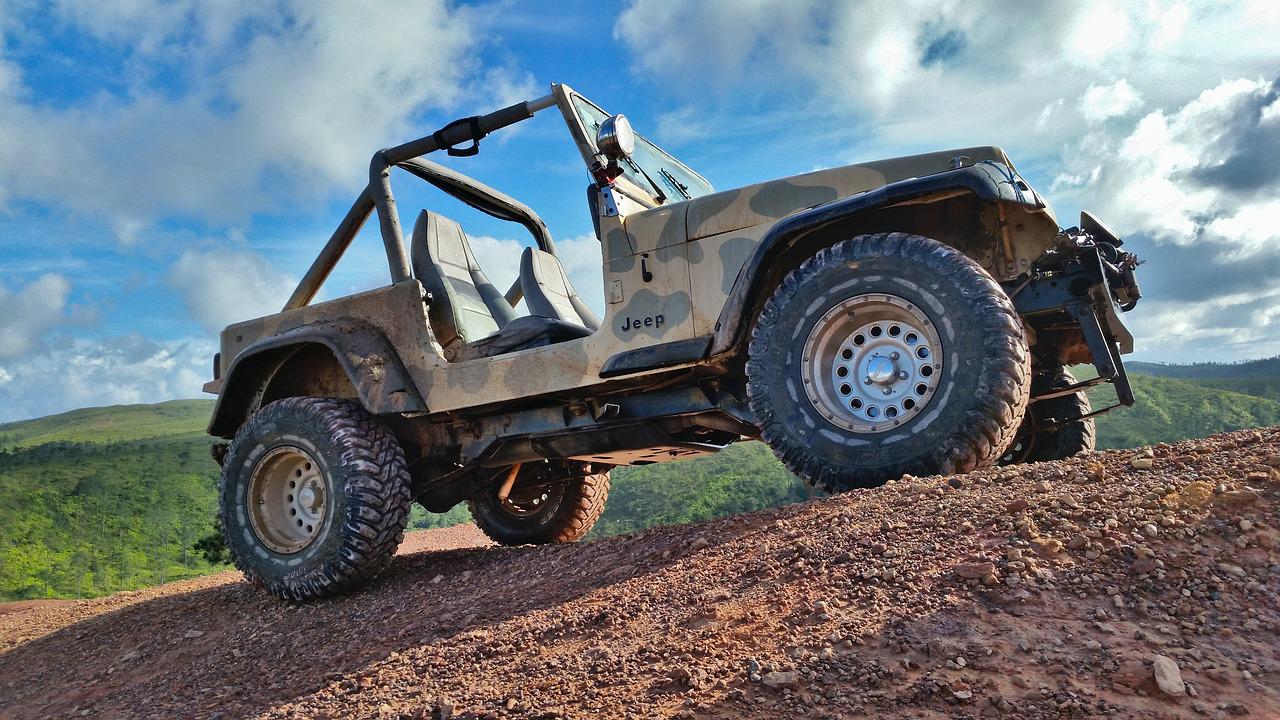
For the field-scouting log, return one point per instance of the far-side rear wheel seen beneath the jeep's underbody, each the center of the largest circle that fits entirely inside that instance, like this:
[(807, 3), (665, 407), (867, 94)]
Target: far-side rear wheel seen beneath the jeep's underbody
[(561, 511)]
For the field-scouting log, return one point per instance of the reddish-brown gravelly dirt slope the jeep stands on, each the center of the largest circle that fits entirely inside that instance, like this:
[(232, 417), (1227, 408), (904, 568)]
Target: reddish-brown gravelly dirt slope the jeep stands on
[(1045, 591)]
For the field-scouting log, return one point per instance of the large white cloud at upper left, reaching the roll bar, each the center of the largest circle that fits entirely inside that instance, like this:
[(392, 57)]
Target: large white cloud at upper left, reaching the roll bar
[(275, 103)]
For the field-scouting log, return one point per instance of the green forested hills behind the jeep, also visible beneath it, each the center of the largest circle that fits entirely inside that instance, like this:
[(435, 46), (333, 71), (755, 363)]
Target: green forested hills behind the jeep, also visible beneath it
[(112, 499)]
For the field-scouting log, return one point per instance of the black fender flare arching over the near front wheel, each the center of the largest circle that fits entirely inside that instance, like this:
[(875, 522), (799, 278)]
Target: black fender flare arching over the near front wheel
[(986, 183)]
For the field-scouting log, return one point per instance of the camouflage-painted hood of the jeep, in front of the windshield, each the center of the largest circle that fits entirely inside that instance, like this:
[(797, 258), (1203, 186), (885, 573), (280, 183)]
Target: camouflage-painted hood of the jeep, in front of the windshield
[(770, 202)]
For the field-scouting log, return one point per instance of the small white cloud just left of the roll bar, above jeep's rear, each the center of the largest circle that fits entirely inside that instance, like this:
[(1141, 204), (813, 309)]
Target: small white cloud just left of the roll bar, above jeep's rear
[(223, 286)]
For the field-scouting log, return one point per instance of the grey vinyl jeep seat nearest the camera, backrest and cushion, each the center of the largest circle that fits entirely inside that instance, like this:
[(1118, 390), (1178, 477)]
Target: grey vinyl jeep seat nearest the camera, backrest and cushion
[(469, 316)]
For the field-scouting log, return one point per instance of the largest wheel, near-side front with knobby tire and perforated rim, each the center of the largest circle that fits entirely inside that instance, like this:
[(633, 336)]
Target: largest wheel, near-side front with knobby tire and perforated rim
[(975, 390)]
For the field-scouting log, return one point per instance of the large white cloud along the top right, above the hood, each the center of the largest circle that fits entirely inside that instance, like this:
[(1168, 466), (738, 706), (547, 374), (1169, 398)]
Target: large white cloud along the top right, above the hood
[(938, 74)]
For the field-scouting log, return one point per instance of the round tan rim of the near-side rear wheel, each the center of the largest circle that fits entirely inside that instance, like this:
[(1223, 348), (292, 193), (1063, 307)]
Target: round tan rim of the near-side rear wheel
[(287, 500)]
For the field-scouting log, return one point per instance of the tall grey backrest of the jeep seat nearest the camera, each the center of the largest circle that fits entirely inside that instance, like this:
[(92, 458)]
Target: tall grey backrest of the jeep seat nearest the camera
[(465, 306)]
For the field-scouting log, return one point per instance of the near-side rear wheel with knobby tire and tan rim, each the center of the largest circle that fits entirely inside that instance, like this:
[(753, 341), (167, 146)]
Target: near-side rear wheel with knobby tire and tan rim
[(314, 498)]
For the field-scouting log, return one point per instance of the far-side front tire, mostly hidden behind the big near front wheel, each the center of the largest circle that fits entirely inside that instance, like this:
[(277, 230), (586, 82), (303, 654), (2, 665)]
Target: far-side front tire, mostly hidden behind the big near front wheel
[(1062, 443)]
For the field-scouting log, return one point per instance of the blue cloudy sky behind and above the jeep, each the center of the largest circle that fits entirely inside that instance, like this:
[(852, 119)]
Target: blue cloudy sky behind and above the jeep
[(171, 167)]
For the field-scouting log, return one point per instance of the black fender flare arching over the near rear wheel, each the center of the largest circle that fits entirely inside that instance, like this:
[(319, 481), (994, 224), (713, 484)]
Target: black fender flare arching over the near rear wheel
[(369, 361)]
